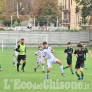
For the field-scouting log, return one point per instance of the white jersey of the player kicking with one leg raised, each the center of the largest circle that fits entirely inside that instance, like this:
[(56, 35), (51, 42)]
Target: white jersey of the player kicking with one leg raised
[(48, 54)]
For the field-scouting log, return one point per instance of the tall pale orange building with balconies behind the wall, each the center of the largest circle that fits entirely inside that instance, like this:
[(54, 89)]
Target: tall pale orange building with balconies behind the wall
[(70, 19)]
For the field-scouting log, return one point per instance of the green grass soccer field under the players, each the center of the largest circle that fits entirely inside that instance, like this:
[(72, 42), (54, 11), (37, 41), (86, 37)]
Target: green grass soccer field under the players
[(9, 73)]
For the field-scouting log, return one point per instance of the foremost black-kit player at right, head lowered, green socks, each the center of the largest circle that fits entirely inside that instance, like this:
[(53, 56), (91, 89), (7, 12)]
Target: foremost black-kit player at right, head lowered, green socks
[(80, 54)]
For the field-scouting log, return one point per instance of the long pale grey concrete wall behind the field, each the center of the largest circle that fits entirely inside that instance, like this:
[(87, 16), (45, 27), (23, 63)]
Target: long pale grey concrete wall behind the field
[(53, 38)]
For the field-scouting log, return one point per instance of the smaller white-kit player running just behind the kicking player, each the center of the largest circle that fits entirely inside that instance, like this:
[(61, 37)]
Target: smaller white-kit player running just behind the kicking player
[(39, 59)]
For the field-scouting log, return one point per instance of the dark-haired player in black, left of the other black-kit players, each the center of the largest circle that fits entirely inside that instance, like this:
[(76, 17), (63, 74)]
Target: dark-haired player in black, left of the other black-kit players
[(69, 51)]
